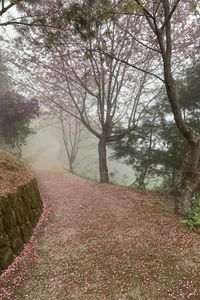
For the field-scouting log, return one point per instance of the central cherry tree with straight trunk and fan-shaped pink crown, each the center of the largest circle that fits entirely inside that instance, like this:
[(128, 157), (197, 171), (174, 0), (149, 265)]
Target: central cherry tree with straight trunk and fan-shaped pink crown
[(98, 86)]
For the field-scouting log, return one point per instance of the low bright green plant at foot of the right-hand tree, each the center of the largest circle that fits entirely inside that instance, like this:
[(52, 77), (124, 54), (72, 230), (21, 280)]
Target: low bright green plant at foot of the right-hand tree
[(192, 216)]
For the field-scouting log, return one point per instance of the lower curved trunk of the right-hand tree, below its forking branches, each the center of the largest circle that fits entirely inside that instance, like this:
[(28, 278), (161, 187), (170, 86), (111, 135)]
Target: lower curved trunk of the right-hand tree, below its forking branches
[(190, 175)]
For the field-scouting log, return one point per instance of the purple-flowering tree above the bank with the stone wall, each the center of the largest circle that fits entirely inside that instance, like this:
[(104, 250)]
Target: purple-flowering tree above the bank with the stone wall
[(16, 114)]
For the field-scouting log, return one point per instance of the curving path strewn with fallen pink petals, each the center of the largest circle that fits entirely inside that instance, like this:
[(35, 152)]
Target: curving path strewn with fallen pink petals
[(104, 242)]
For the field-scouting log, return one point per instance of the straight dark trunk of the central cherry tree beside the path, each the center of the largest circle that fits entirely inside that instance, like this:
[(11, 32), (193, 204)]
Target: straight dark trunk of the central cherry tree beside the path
[(103, 169)]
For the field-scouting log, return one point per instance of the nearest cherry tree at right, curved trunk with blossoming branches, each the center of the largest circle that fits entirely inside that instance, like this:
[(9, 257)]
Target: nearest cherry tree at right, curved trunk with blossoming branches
[(170, 29)]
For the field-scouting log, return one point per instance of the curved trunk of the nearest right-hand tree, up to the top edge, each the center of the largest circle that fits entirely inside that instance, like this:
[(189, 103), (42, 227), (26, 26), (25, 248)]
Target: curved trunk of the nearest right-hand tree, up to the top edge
[(190, 177)]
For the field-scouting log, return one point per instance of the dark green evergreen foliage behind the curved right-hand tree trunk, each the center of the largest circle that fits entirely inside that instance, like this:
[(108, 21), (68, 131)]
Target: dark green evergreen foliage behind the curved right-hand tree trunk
[(156, 148)]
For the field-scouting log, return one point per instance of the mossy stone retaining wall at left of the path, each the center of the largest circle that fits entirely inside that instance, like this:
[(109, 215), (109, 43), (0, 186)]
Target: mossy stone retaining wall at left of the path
[(19, 214)]
